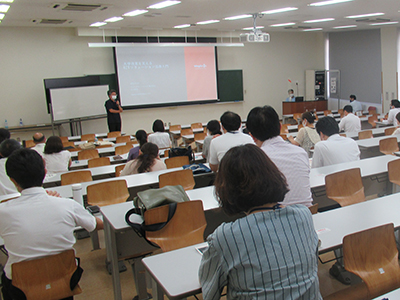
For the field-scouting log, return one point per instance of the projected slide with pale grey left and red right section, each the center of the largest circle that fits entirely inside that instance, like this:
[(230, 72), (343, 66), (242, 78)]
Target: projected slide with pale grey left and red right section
[(162, 75)]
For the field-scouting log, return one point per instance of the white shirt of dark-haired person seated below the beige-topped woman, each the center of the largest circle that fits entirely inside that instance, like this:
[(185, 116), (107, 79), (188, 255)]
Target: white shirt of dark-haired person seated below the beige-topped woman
[(335, 150)]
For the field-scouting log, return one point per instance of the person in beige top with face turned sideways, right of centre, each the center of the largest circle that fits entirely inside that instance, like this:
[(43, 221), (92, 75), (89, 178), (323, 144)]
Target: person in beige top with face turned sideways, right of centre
[(307, 136)]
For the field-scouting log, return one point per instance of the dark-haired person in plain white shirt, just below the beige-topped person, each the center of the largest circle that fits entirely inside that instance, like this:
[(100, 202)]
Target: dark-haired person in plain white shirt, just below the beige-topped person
[(333, 148)]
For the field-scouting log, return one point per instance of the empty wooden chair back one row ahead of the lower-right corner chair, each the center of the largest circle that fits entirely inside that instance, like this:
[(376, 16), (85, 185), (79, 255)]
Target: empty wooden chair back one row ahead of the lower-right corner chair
[(345, 187)]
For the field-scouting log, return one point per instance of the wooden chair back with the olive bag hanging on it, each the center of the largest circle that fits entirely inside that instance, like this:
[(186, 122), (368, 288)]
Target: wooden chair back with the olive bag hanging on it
[(186, 227)]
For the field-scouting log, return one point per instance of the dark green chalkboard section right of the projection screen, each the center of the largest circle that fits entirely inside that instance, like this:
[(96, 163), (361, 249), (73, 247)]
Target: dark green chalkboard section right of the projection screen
[(230, 85)]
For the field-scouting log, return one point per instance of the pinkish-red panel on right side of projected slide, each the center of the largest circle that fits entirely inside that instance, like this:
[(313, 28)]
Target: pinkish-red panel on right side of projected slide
[(201, 75)]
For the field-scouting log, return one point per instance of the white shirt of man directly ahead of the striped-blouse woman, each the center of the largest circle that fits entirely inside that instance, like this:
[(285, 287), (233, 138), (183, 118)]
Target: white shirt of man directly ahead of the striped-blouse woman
[(293, 162)]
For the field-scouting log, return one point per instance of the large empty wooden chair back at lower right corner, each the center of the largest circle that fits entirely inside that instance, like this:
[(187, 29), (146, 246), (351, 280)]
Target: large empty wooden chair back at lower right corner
[(372, 255)]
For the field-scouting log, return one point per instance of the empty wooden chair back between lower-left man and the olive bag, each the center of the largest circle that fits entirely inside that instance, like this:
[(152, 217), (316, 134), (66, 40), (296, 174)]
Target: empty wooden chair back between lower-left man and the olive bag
[(107, 193)]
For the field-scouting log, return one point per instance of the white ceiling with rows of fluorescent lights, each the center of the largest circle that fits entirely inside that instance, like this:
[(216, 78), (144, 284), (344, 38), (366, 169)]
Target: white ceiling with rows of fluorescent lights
[(31, 12)]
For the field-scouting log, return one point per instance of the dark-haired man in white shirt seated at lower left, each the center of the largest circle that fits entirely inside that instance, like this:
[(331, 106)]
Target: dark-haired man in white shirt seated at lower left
[(39, 234)]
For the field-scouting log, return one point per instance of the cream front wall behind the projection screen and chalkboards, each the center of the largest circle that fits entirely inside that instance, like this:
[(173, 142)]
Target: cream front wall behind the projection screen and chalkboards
[(33, 54)]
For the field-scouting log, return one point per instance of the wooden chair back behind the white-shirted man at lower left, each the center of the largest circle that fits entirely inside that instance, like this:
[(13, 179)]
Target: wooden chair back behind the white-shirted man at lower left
[(46, 278)]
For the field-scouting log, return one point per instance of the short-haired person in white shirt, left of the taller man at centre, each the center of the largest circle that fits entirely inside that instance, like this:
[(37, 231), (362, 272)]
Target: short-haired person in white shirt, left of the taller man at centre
[(232, 137)]
